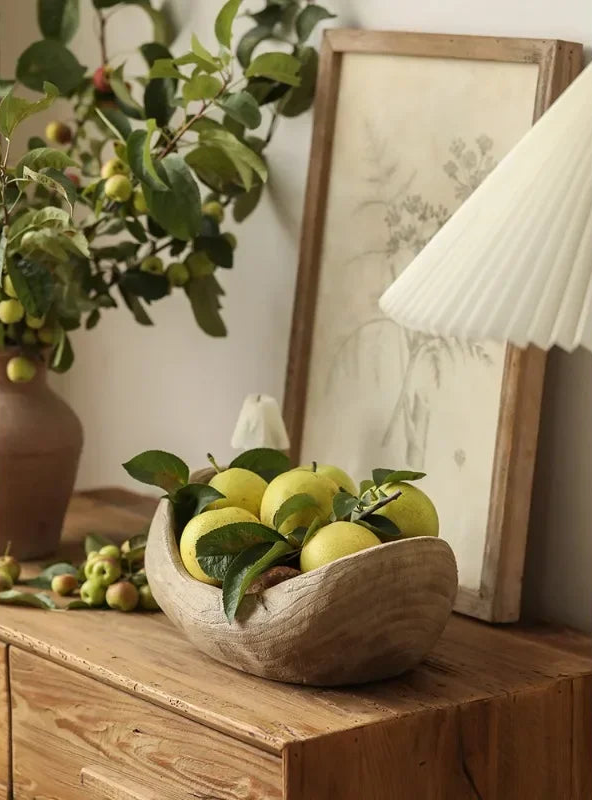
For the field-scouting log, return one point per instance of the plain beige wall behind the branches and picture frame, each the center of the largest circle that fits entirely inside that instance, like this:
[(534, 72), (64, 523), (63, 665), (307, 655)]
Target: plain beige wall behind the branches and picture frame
[(171, 387)]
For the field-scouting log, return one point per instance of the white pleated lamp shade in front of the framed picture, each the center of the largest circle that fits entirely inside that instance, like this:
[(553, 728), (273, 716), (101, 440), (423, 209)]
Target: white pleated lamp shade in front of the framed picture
[(514, 263)]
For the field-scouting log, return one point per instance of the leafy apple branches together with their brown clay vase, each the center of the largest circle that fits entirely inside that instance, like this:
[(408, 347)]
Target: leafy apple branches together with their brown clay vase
[(153, 163)]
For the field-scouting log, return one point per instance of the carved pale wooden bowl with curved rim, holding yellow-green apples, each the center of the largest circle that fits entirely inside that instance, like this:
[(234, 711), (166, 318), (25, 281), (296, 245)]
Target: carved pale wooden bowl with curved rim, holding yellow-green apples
[(371, 615)]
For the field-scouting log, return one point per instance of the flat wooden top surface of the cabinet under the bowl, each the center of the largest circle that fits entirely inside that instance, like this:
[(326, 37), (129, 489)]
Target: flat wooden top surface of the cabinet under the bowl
[(144, 655)]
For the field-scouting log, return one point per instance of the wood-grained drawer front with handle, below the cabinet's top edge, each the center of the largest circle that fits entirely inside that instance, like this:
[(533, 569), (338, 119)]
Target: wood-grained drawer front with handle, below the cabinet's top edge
[(72, 734)]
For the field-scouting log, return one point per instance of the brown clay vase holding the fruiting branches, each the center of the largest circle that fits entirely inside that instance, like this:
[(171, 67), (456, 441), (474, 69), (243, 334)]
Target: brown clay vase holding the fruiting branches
[(40, 444)]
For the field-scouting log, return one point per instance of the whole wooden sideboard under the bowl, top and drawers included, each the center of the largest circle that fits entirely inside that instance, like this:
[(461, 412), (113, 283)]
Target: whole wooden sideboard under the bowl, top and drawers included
[(98, 704)]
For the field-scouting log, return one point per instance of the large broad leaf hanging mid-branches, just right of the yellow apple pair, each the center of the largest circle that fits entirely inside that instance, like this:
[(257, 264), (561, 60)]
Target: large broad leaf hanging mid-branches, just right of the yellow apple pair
[(177, 210)]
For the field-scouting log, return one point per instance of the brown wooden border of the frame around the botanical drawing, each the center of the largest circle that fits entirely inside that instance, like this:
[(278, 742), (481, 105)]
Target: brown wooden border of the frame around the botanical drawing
[(497, 598)]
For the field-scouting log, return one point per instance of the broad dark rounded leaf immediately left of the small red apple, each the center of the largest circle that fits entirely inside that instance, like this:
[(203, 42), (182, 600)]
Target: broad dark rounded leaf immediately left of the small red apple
[(49, 61)]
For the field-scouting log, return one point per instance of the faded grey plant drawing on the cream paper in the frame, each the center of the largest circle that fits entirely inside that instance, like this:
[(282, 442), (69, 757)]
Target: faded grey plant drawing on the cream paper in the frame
[(410, 221)]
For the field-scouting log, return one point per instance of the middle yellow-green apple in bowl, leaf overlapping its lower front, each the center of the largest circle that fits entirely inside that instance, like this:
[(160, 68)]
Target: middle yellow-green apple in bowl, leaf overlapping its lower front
[(296, 482)]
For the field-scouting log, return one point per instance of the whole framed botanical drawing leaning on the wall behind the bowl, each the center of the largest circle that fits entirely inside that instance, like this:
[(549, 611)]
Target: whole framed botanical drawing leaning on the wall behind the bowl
[(406, 126)]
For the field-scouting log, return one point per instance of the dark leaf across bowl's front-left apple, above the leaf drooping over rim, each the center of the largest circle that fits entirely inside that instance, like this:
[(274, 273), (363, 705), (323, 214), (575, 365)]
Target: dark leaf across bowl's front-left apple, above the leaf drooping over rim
[(216, 550)]
